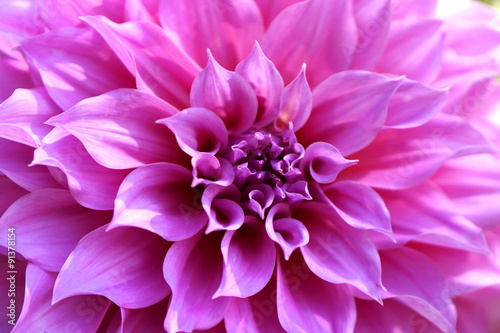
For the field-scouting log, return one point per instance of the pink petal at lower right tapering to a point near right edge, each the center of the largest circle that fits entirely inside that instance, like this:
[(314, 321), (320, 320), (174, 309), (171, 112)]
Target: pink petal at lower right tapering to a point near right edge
[(438, 220)]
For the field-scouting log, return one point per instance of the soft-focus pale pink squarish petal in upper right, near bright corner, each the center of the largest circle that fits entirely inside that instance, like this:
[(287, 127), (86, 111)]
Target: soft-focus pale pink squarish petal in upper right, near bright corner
[(414, 49)]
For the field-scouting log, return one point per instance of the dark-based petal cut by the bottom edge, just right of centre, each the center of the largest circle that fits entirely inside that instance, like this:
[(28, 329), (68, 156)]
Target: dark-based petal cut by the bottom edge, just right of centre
[(309, 304)]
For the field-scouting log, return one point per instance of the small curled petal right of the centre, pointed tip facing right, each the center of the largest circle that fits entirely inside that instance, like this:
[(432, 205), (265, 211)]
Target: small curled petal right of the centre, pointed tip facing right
[(324, 162)]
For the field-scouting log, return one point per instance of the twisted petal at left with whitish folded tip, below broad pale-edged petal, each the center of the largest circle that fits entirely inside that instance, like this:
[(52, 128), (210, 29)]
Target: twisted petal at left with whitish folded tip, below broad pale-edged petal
[(91, 184)]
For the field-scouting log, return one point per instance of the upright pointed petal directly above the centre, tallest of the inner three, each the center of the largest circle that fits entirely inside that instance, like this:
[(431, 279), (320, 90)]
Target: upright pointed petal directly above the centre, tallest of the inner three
[(267, 83)]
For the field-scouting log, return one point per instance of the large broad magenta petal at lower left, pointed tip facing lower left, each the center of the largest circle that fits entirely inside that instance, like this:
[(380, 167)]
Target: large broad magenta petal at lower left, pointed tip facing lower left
[(122, 264)]
